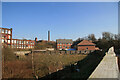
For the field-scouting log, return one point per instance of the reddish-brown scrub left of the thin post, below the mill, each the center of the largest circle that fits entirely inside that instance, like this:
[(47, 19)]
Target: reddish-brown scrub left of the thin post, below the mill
[(14, 67)]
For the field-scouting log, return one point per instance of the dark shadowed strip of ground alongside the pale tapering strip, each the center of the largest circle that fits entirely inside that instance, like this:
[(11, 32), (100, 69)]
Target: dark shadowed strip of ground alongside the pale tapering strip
[(81, 71)]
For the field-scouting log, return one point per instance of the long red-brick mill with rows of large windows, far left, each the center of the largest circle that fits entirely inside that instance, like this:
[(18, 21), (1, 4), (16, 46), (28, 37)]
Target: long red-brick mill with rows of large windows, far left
[(7, 40)]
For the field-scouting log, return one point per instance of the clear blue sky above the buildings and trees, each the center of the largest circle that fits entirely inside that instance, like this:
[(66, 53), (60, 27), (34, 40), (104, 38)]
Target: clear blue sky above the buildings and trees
[(65, 20)]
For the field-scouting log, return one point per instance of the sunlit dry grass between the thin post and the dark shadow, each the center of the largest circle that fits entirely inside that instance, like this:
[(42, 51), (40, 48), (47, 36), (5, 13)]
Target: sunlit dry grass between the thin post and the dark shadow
[(45, 63)]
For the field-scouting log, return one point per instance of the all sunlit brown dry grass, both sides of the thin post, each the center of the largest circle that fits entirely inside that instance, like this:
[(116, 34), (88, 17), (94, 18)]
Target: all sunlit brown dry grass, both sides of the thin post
[(43, 63)]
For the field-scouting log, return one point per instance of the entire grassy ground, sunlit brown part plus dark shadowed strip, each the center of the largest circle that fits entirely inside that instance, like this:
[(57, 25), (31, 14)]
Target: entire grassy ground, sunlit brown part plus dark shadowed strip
[(50, 66)]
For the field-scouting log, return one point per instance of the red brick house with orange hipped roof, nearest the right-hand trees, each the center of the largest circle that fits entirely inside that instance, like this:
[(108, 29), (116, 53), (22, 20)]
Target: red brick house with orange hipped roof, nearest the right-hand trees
[(86, 45)]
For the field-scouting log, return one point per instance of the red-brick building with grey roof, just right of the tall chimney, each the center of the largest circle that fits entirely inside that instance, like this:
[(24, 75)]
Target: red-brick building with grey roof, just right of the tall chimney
[(64, 44)]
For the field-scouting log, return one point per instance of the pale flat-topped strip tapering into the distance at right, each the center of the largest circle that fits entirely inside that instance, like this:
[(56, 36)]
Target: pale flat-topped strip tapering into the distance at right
[(108, 67)]
